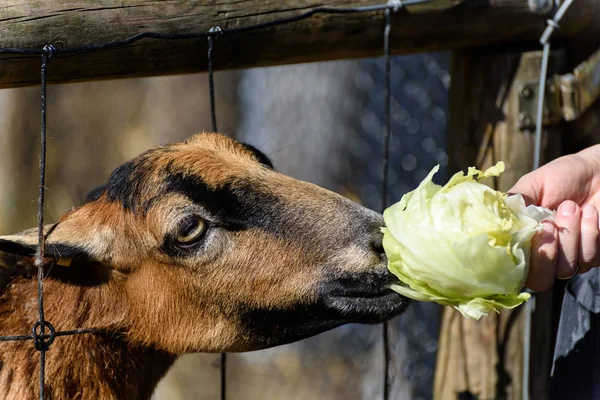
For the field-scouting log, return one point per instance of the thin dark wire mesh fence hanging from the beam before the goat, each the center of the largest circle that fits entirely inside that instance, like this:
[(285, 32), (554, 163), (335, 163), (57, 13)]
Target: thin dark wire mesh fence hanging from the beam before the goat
[(38, 335)]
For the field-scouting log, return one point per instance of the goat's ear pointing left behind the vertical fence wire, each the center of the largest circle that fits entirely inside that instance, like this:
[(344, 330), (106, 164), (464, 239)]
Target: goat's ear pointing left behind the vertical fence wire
[(25, 244)]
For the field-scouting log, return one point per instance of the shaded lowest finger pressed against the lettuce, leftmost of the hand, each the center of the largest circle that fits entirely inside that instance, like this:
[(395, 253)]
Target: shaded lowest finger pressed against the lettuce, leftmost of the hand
[(544, 247)]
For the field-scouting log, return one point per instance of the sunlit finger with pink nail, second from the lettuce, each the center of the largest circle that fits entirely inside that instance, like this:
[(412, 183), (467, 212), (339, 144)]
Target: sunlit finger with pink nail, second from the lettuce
[(569, 227)]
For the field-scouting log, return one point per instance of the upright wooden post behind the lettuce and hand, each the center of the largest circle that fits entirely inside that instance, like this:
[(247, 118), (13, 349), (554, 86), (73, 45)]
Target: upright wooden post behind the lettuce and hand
[(484, 359)]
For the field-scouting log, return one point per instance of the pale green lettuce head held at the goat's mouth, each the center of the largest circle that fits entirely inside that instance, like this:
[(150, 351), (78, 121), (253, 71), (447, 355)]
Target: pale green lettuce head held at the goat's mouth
[(463, 244)]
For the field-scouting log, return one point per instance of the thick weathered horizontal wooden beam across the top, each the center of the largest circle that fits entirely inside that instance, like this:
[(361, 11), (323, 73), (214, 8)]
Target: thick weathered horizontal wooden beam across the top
[(442, 24)]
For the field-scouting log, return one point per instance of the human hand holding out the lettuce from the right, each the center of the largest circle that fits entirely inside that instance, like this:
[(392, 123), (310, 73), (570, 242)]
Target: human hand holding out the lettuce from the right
[(571, 186)]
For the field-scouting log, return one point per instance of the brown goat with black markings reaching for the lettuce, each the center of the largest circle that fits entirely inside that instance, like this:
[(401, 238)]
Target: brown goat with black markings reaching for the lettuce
[(192, 247)]
